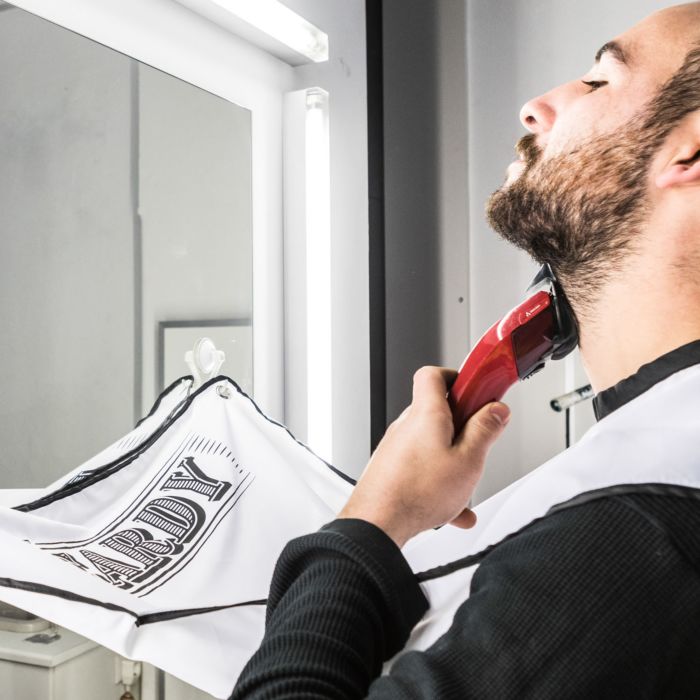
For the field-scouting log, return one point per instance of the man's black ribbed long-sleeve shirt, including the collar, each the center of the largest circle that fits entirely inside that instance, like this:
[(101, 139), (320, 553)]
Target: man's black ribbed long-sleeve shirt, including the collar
[(598, 600)]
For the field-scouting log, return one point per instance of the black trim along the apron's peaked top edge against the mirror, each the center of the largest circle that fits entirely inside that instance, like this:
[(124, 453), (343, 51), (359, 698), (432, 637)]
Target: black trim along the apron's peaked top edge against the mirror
[(100, 473)]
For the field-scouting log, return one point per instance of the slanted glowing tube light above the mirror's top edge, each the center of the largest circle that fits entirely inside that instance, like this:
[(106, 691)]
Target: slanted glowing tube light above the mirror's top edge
[(268, 23)]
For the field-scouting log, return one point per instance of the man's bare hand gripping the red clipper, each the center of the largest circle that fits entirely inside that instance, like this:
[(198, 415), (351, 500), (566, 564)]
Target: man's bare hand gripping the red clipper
[(421, 475)]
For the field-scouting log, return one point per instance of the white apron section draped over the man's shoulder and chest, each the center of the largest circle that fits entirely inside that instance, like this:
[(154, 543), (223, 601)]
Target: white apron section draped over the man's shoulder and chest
[(653, 439)]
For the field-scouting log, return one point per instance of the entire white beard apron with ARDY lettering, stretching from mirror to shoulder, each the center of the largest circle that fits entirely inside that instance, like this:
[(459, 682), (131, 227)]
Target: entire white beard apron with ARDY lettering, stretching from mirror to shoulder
[(162, 547)]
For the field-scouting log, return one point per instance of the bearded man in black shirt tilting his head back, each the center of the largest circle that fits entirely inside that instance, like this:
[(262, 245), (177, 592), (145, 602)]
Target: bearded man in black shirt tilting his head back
[(593, 591)]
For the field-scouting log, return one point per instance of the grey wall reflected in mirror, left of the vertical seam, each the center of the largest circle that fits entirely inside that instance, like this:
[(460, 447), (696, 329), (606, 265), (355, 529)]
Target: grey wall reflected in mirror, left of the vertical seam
[(66, 245)]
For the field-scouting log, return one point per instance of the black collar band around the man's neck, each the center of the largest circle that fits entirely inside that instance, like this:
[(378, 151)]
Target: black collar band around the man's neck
[(645, 378)]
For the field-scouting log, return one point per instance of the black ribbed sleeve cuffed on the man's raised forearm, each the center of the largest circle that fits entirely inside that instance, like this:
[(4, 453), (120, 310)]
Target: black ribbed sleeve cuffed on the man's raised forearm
[(342, 601)]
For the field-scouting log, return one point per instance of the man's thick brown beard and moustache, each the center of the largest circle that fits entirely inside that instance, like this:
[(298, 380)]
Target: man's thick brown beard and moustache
[(581, 211)]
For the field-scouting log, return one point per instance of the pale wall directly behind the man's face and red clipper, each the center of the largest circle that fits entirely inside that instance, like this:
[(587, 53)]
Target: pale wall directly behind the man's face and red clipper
[(518, 49)]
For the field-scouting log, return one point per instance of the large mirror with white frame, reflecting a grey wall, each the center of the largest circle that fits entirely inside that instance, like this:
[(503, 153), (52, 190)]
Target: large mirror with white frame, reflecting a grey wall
[(125, 235)]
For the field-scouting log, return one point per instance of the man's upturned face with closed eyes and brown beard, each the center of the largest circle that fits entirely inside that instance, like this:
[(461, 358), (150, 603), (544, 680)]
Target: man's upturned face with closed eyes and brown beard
[(578, 195)]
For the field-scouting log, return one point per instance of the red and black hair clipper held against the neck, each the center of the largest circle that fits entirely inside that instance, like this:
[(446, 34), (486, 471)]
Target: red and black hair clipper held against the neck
[(542, 327)]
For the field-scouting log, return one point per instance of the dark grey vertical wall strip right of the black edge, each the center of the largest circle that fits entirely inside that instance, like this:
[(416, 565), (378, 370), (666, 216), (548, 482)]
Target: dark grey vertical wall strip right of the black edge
[(425, 189)]
